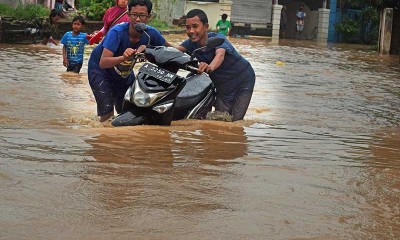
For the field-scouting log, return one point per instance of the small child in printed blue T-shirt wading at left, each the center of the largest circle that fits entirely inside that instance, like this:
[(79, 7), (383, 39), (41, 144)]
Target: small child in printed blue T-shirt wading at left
[(74, 45)]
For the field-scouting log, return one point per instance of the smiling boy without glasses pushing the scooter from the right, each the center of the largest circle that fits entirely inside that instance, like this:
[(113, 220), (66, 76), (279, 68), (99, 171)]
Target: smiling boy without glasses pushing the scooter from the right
[(232, 75)]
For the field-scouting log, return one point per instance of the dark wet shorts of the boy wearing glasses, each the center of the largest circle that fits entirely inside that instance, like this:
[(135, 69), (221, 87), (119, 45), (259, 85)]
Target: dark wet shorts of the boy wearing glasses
[(107, 92)]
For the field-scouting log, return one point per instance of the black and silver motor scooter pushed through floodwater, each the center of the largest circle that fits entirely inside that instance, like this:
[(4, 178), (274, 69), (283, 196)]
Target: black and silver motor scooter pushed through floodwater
[(159, 95)]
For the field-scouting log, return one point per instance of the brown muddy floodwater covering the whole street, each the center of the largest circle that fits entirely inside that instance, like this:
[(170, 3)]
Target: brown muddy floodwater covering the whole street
[(317, 156)]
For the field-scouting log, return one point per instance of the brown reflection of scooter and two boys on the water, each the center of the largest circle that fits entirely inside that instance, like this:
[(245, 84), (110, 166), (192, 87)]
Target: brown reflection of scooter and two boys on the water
[(209, 142)]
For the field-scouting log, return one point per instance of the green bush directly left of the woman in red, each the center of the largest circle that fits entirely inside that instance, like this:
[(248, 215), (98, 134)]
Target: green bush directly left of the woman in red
[(94, 10)]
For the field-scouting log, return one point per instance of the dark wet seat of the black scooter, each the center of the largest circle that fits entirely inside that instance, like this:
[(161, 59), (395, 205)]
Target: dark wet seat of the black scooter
[(197, 86)]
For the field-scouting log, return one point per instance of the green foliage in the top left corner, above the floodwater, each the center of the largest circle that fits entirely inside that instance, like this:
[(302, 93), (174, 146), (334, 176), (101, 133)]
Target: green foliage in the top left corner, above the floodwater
[(24, 12)]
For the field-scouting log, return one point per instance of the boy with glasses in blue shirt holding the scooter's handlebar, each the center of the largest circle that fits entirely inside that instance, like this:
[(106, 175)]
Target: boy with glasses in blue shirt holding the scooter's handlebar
[(110, 67)]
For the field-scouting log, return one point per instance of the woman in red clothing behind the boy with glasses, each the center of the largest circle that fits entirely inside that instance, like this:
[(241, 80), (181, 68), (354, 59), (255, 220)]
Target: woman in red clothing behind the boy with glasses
[(114, 15)]
